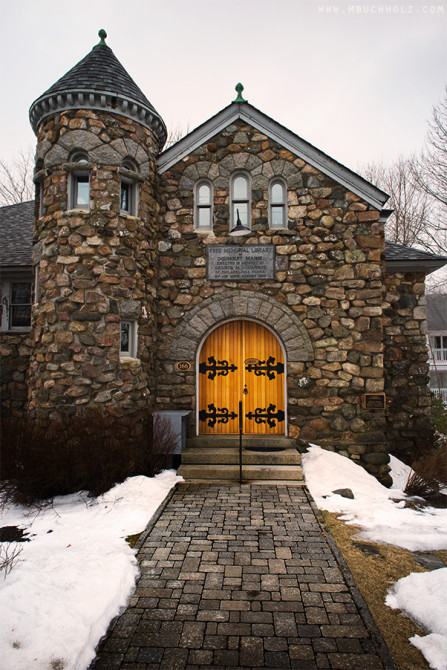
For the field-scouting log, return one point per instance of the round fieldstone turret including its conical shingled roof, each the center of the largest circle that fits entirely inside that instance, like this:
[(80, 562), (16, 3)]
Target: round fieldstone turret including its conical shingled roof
[(95, 242)]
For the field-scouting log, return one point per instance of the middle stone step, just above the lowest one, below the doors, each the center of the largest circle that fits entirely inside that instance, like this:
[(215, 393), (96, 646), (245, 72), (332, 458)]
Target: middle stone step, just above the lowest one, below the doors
[(230, 456)]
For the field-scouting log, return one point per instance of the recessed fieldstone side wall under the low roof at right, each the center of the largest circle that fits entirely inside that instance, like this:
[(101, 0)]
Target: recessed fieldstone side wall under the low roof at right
[(409, 427)]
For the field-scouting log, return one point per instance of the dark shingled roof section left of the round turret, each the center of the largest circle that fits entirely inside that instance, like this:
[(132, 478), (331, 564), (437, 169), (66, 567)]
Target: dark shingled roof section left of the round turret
[(16, 234)]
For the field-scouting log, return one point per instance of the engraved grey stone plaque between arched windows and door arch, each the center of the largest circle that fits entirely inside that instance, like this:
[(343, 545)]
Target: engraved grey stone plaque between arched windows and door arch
[(251, 262)]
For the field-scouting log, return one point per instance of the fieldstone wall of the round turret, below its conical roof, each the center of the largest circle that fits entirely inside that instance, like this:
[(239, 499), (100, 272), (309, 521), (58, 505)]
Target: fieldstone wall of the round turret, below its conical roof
[(96, 266)]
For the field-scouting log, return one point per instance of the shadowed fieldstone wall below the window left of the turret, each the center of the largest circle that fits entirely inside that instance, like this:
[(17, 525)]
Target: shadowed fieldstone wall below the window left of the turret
[(15, 351)]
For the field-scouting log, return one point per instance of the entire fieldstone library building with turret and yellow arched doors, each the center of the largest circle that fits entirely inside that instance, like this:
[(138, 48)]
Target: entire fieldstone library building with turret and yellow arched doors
[(240, 265)]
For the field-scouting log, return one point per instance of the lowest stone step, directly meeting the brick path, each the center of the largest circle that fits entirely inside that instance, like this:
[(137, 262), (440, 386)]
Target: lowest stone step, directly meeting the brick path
[(249, 472)]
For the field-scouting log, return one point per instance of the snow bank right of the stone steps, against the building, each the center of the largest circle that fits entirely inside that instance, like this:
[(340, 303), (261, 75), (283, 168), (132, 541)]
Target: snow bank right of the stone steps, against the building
[(380, 512)]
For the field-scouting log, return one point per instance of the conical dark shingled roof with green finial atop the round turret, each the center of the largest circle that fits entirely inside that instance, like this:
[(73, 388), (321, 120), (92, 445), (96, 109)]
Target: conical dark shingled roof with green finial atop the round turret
[(99, 81)]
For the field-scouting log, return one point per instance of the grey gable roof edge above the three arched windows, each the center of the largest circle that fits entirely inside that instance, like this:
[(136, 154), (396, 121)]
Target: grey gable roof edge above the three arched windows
[(277, 132)]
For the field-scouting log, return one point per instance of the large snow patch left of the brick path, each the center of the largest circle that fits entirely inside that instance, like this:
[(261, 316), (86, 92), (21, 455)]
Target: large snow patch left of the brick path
[(74, 575)]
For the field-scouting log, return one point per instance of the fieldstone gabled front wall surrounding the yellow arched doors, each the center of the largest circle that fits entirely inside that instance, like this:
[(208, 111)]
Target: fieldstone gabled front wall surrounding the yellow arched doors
[(329, 280)]
